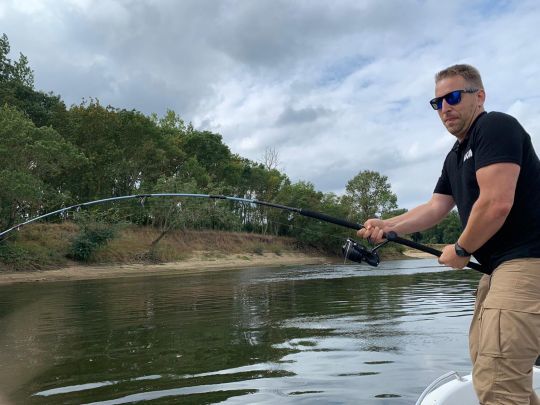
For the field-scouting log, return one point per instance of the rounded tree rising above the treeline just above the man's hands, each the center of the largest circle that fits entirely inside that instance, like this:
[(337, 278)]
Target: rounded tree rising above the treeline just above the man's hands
[(368, 195)]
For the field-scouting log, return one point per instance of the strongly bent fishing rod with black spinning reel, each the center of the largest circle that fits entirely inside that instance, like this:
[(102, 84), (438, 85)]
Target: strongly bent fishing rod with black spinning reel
[(352, 250)]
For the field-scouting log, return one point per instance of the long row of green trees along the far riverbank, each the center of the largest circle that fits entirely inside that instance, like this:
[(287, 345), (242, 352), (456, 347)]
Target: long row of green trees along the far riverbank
[(54, 156)]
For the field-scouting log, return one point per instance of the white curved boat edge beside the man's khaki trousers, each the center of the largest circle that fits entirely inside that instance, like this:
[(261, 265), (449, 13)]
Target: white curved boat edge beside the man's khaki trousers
[(452, 388)]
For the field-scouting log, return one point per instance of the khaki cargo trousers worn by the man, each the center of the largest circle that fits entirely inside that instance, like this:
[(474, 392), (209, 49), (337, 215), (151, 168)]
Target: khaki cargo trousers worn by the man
[(504, 339)]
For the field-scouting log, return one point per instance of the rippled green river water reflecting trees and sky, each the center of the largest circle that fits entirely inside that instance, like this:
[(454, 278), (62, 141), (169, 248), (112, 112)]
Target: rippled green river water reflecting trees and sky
[(334, 334)]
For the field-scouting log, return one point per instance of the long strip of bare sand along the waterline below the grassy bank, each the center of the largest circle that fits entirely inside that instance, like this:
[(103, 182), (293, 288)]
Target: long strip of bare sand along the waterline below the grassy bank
[(199, 263)]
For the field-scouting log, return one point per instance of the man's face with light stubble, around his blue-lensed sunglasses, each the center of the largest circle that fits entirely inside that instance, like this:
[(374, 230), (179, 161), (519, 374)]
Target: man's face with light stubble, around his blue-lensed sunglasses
[(458, 118)]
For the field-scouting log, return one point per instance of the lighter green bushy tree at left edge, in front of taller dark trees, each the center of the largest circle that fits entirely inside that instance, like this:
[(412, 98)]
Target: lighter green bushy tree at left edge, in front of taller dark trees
[(35, 163)]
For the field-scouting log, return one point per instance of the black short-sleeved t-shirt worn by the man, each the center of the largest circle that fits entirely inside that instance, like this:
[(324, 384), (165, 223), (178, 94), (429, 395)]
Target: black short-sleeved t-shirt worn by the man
[(497, 138)]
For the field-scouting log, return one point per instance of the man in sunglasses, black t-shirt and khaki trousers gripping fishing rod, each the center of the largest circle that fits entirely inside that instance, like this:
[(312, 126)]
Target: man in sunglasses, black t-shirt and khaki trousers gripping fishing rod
[(492, 175)]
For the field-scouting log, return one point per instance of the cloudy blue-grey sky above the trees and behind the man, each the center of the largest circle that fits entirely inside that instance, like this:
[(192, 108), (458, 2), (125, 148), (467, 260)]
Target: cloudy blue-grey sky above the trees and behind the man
[(334, 87)]
